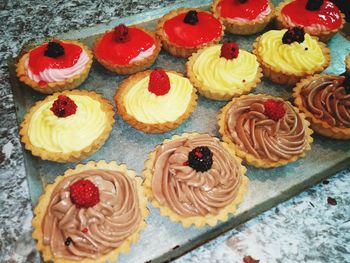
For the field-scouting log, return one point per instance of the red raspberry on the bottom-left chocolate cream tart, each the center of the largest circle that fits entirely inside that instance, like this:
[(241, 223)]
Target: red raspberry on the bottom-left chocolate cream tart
[(84, 193)]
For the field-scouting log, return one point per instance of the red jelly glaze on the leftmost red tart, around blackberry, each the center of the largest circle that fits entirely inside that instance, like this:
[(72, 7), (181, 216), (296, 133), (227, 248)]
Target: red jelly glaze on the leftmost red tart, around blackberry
[(38, 62)]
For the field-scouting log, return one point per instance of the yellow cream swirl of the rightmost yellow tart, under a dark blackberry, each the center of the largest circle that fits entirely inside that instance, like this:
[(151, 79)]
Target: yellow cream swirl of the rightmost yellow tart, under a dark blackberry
[(293, 58)]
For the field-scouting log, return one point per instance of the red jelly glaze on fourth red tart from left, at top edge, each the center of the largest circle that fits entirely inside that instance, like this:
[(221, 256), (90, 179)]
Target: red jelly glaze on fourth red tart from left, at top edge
[(251, 9)]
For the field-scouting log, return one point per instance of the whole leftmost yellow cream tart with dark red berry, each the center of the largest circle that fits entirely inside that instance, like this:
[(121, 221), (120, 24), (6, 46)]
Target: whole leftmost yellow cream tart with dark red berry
[(67, 126)]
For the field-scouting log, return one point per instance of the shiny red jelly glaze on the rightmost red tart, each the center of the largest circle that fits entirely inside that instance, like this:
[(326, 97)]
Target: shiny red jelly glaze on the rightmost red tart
[(328, 14)]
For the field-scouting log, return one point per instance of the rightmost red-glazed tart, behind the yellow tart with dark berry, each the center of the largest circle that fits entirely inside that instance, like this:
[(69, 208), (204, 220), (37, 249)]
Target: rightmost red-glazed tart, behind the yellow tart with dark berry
[(319, 18)]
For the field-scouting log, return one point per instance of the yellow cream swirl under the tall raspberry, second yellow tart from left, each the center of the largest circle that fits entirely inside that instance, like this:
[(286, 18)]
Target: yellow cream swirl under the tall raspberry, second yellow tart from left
[(147, 107)]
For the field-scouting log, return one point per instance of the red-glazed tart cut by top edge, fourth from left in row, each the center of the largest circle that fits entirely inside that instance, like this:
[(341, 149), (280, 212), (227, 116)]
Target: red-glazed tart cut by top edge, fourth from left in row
[(243, 17)]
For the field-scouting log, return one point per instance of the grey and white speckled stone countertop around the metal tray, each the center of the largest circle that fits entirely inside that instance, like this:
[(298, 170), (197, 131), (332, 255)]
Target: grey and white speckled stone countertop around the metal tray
[(303, 229)]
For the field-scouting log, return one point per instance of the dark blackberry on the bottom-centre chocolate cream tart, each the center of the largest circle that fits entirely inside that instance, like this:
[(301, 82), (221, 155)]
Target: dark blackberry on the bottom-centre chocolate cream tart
[(200, 159)]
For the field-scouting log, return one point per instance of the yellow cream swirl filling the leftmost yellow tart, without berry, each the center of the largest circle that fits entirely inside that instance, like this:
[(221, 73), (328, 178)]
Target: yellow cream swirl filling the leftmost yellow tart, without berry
[(72, 133)]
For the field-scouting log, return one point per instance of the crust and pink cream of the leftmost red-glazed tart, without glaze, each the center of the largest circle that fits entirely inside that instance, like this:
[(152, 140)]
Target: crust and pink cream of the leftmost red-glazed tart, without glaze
[(53, 79)]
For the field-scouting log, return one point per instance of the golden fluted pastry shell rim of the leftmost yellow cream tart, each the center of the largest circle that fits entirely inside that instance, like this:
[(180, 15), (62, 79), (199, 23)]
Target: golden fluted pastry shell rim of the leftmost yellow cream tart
[(74, 155)]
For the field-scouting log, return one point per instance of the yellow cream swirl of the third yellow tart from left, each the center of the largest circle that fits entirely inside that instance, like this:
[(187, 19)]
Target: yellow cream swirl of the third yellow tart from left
[(220, 74)]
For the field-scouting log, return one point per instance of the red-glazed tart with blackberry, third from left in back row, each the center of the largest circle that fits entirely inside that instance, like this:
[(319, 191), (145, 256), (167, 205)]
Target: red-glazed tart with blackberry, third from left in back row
[(183, 31)]
